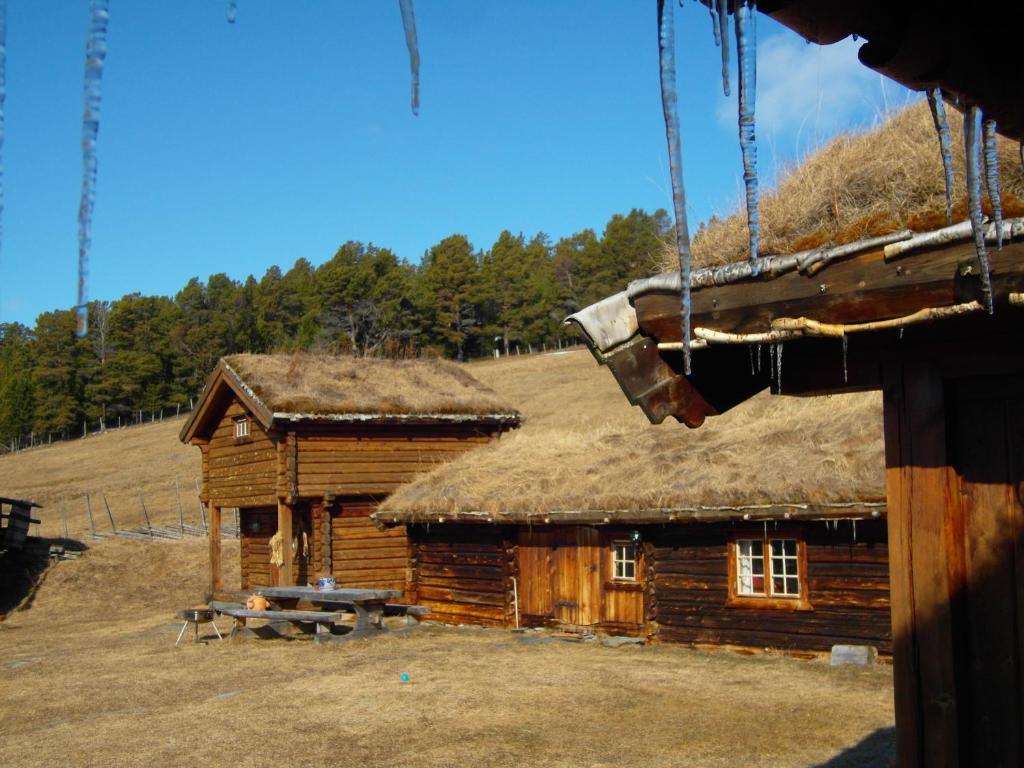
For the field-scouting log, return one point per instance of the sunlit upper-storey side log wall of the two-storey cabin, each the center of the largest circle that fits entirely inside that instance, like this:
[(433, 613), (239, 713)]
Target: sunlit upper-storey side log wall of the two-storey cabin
[(376, 461)]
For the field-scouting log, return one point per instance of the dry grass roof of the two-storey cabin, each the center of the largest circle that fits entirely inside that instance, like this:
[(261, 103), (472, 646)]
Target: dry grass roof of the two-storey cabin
[(322, 385)]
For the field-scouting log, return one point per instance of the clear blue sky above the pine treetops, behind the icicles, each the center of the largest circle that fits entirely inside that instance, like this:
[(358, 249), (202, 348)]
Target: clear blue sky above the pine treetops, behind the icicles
[(231, 148)]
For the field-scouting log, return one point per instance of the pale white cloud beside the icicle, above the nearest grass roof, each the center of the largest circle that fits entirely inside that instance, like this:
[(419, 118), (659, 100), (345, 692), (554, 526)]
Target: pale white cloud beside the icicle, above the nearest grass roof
[(807, 94)]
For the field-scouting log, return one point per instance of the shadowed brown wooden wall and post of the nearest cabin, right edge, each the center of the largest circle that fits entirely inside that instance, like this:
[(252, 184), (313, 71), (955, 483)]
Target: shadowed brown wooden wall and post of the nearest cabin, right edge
[(955, 459)]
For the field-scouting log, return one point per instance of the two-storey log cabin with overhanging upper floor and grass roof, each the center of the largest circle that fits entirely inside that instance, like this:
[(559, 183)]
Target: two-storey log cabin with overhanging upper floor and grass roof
[(310, 446)]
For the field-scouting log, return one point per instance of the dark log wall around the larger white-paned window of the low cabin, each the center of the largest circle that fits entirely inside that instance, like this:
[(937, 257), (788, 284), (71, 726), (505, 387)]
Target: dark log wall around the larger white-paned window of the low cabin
[(848, 583)]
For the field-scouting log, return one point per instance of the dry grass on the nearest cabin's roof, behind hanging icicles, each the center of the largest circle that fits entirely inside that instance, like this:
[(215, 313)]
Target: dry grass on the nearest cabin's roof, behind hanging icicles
[(860, 186)]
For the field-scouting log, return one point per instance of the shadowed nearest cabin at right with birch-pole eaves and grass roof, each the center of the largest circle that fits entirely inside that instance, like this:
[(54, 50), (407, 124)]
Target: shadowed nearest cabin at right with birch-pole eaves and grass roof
[(930, 315)]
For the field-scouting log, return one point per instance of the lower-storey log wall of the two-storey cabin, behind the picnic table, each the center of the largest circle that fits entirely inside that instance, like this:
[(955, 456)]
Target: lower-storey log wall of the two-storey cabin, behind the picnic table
[(362, 554)]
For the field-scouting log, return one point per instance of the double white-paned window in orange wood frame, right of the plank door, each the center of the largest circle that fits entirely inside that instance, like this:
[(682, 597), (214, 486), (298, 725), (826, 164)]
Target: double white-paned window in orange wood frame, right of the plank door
[(769, 571)]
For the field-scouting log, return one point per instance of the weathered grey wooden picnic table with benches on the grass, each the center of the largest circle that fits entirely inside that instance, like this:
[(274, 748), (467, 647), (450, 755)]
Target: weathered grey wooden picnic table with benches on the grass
[(368, 606)]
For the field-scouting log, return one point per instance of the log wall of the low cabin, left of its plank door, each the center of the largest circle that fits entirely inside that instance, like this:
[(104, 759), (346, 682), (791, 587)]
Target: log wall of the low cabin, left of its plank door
[(464, 573)]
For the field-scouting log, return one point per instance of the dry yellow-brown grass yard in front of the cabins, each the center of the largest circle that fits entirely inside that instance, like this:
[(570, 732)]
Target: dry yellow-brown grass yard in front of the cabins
[(91, 676)]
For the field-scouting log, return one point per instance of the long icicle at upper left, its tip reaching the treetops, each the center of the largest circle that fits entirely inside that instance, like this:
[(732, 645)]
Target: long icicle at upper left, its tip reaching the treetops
[(96, 54)]
